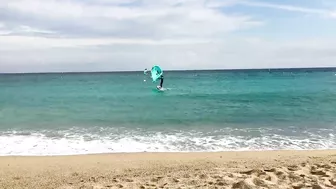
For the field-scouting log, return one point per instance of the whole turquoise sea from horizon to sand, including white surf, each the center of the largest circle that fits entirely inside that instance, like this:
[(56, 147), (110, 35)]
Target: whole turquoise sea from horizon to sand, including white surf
[(82, 113)]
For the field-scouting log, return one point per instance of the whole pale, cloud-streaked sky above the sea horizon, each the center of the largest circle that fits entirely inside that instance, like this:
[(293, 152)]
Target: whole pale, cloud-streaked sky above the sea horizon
[(106, 35)]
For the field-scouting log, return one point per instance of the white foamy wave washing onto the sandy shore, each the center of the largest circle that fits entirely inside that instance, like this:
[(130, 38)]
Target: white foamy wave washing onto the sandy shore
[(74, 141)]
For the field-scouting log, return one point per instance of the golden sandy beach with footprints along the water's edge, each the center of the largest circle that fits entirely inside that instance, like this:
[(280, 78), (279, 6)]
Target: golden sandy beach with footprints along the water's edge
[(270, 169)]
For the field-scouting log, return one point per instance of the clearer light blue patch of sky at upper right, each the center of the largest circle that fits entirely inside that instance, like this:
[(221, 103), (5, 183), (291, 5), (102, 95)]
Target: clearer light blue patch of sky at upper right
[(291, 24)]
